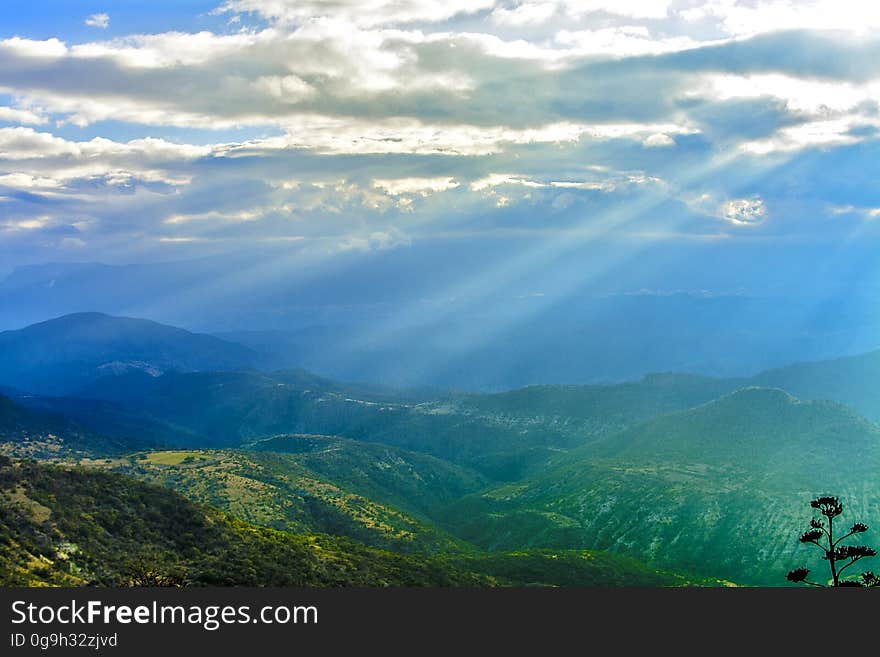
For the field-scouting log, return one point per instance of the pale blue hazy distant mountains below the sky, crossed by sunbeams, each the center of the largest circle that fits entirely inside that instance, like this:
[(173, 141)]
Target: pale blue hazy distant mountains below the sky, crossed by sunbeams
[(411, 318)]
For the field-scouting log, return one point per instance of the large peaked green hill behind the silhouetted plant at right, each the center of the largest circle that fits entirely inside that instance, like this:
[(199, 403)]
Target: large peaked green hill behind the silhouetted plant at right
[(718, 489)]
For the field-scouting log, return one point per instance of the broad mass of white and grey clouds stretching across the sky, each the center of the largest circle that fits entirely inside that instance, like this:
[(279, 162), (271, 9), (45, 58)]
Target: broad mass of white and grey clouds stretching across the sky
[(355, 112)]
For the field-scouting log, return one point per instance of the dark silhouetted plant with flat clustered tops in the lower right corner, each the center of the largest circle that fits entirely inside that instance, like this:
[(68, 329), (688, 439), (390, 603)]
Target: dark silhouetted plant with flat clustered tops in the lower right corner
[(839, 557)]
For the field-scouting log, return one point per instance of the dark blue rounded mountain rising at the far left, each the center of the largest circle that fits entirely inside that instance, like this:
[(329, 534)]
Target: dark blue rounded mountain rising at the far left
[(62, 355)]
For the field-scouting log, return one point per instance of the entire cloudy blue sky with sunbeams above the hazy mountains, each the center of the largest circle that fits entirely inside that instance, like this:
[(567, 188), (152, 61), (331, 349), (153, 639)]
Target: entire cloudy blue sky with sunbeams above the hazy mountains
[(135, 131)]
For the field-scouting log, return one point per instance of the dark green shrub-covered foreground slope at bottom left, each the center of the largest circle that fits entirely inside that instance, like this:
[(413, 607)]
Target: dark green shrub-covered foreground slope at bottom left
[(73, 526)]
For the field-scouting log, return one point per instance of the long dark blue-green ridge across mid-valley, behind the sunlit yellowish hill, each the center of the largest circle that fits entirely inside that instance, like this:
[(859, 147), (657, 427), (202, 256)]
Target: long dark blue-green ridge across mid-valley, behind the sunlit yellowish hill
[(504, 436)]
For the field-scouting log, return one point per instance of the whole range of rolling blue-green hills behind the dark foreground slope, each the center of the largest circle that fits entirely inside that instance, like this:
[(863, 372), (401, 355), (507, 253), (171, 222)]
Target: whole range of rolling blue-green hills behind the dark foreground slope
[(697, 479)]
